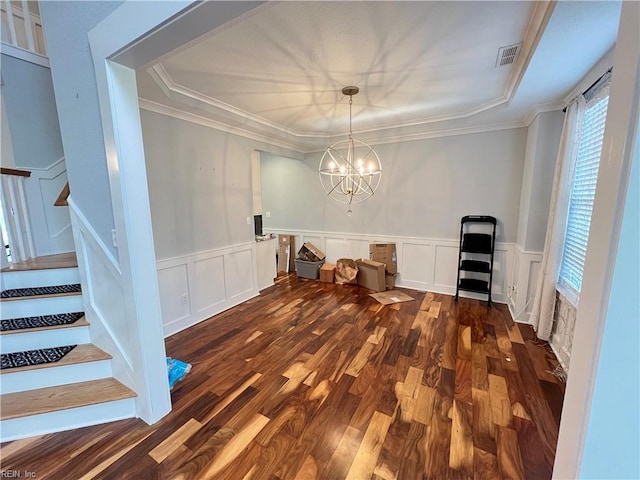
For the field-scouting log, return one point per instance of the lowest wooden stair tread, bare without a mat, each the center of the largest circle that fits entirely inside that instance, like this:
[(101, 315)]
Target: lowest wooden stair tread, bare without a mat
[(62, 397)]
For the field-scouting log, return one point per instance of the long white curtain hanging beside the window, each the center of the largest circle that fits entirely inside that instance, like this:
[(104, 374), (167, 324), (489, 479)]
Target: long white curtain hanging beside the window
[(545, 297)]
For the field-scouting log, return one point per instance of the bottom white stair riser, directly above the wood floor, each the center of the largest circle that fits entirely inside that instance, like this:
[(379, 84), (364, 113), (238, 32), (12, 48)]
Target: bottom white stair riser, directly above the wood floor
[(59, 421)]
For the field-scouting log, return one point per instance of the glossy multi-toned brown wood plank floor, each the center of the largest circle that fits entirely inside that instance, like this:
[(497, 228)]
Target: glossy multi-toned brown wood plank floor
[(319, 381)]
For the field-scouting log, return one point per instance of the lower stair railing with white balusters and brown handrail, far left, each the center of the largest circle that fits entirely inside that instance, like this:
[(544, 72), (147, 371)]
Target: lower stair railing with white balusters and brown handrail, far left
[(15, 215)]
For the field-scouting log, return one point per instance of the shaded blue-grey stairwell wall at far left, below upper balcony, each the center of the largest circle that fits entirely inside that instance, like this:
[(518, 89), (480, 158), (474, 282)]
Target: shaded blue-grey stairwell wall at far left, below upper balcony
[(31, 113)]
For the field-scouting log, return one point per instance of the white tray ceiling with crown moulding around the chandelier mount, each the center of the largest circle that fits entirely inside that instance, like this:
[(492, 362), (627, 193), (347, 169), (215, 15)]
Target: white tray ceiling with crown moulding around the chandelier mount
[(279, 70)]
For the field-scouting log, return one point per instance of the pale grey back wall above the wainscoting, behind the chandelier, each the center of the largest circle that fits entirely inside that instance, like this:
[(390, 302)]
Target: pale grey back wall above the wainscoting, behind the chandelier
[(426, 187)]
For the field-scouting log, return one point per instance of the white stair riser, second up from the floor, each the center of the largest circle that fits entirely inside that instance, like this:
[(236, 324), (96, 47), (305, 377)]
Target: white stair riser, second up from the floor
[(52, 376)]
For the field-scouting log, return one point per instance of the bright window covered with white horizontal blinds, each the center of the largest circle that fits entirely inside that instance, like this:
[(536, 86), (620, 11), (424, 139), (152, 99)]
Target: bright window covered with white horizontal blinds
[(583, 189)]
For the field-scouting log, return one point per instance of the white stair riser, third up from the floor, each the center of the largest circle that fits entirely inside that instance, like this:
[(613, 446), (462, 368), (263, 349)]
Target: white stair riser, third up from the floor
[(20, 342)]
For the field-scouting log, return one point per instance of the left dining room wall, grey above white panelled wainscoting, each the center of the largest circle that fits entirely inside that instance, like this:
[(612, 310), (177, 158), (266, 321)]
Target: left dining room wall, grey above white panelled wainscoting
[(200, 194)]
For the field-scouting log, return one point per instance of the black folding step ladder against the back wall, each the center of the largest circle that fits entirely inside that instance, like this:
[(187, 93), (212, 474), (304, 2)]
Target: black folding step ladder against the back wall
[(476, 255)]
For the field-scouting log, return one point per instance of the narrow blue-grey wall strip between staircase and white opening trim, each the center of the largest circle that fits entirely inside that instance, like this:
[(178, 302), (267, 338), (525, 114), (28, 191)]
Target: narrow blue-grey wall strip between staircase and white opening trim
[(66, 27)]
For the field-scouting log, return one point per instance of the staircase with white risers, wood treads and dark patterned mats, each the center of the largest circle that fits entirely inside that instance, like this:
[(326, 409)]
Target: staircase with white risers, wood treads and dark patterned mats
[(74, 391)]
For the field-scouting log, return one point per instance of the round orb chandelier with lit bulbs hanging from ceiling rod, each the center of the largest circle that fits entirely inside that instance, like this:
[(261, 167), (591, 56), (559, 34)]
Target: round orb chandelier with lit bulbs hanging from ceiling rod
[(350, 170)]
